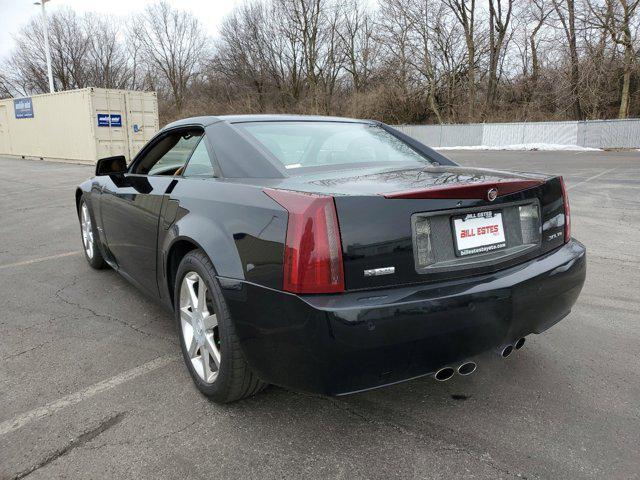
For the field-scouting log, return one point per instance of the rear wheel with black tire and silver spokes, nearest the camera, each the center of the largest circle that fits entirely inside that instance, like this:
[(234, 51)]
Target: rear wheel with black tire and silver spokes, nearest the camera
[(209, 343)]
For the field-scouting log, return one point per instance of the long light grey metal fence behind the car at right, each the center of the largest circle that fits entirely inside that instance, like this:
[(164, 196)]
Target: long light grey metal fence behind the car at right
[(592, 133)]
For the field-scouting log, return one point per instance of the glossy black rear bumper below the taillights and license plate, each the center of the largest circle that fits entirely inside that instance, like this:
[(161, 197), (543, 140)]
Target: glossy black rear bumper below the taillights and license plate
[(336, 344)]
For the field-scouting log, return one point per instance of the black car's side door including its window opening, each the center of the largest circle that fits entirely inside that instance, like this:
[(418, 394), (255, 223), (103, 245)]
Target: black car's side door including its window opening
[(130, 204)]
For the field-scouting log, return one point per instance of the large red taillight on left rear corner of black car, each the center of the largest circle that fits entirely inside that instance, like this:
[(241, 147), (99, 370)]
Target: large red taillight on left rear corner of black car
[(312, 252)]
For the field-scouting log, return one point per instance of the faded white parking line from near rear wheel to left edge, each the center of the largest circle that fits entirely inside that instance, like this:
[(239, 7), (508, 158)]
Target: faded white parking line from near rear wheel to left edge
[(22, 419)]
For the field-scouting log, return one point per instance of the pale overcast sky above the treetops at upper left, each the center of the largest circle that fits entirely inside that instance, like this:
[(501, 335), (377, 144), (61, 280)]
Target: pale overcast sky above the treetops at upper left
[(15, 13)]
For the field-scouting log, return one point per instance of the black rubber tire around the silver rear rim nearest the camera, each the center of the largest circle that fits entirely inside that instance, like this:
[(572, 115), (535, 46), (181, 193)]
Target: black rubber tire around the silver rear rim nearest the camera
[(235, 380)]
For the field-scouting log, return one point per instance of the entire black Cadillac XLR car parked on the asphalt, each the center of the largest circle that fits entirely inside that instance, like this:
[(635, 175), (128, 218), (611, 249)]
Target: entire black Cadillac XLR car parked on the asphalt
[(330, 255)]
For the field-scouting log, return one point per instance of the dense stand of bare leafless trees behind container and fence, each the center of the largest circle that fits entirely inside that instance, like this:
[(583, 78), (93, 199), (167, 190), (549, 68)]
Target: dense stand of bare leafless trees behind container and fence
[(405, 61)]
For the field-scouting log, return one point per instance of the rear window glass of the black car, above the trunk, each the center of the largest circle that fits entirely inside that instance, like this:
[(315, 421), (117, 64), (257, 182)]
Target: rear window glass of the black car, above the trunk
[(314, 144)]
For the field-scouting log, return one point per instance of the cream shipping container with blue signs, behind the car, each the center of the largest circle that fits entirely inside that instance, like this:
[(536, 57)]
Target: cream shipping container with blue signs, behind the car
[(78, 125)]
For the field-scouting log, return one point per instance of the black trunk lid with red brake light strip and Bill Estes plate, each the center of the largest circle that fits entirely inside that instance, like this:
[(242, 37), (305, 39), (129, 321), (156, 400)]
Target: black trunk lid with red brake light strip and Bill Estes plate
[(414, 226)]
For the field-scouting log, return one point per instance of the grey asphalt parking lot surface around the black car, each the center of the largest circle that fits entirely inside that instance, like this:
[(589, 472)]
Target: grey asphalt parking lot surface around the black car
[(92, 386)]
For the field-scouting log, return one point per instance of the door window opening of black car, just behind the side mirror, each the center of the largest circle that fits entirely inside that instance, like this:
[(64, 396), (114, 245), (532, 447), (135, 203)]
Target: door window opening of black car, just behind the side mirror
[(169, 155)]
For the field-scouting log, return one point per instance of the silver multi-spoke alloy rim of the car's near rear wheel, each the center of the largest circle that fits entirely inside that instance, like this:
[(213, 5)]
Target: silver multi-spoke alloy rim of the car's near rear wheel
[(199, 327)]
